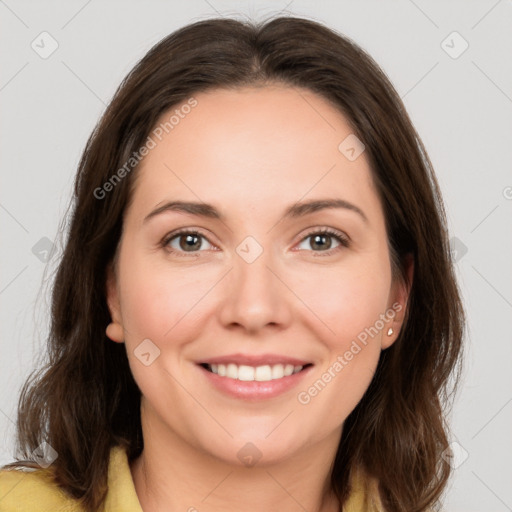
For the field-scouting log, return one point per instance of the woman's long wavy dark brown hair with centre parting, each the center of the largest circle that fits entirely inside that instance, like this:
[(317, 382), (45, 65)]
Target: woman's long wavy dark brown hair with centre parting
[(85, 400)]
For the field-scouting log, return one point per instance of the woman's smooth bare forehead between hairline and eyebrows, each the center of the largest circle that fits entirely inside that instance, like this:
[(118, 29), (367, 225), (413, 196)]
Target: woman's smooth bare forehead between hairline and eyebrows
[(253, 146)]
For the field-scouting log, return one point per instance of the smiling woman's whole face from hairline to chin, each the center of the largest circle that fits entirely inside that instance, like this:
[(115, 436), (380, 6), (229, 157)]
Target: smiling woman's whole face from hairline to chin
[(254, 290)]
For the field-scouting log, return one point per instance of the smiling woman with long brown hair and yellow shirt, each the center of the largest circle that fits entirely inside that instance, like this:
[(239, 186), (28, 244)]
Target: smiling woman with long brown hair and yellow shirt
[(256, 307)]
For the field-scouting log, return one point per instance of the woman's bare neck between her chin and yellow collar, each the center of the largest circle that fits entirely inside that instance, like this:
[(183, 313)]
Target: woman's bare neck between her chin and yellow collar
[(172, 475)]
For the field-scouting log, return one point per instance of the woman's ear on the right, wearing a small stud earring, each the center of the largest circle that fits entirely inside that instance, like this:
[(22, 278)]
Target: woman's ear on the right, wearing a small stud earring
[(397, 306)]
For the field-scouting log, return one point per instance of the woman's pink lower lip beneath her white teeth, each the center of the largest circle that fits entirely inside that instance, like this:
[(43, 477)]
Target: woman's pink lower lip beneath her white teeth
[(254, 390)]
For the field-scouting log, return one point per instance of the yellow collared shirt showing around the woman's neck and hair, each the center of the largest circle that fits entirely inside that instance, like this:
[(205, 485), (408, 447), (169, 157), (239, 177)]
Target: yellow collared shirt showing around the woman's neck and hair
[(33, 491)]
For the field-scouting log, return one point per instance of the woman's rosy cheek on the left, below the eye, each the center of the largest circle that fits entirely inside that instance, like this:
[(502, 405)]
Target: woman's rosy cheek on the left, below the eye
[(163, 306)]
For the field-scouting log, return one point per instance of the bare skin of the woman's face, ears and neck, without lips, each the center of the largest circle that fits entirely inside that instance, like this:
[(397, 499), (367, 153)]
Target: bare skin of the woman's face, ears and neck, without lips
[(251, 153)]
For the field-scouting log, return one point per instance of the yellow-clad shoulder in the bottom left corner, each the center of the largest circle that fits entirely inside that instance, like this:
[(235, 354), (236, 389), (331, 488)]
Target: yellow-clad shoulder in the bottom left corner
[(33, 490)]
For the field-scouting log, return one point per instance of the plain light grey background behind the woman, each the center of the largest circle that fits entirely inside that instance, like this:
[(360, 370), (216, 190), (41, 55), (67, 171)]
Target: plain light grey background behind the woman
[(461, 107)]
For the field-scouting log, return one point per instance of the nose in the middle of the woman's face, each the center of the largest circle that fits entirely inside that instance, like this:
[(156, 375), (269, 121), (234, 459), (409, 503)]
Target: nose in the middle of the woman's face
[(255, 296)]
